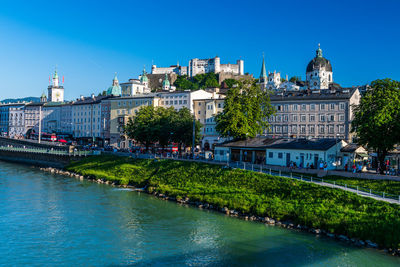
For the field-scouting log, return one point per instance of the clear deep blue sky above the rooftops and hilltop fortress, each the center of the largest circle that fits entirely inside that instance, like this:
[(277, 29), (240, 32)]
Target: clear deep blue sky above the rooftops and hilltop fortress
[(90, 40)]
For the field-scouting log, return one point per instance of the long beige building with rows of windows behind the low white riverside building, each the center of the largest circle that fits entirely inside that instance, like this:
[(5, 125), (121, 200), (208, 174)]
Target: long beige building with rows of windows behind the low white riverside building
[(313, 114)]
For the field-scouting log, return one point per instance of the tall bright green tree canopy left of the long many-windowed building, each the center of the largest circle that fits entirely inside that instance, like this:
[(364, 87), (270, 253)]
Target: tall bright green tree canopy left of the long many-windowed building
[(246, 111)]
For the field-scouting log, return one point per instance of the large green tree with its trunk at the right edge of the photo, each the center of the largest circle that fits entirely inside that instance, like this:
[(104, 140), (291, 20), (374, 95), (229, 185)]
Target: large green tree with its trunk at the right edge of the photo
[(377, 118)]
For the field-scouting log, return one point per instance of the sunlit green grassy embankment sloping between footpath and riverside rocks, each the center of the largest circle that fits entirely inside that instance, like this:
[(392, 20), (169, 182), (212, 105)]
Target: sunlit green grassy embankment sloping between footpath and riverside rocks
[(281, 198)]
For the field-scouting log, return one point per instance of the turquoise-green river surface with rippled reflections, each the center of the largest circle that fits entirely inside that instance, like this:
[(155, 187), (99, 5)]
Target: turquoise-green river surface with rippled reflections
[(49, 220)]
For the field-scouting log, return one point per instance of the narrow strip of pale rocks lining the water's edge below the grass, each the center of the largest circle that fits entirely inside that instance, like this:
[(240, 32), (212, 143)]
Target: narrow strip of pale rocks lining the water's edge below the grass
[(233, 213)]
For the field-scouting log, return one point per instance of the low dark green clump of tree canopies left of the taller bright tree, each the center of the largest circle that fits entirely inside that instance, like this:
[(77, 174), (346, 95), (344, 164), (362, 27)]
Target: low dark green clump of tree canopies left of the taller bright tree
[(163, 126)]
